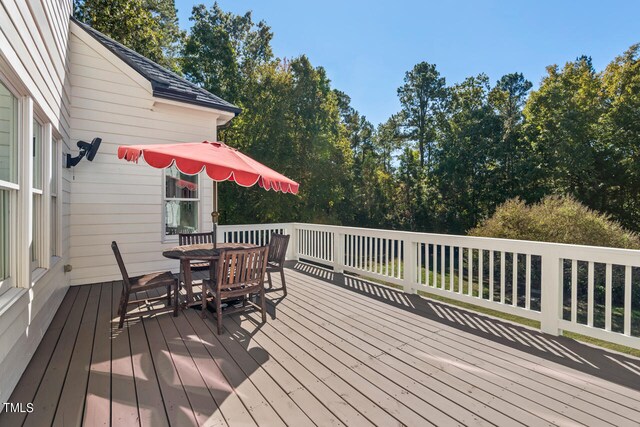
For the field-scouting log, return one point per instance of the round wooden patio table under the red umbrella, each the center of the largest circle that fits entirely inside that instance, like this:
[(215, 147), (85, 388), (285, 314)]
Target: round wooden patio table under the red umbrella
[(204, 251)]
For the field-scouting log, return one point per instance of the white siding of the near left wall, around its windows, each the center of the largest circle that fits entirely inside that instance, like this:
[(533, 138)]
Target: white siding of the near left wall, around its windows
[(33, 53)]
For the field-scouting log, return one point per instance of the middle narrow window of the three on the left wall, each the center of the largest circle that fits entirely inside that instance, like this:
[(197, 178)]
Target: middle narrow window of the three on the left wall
[(36, 191)]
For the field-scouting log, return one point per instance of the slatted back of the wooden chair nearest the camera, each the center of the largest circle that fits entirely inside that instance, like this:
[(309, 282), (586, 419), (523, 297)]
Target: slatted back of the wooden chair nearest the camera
[(241, 268)]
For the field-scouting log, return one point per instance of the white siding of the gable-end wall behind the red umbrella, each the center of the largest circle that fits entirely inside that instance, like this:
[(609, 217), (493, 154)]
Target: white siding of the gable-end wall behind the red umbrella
[(112, 199)]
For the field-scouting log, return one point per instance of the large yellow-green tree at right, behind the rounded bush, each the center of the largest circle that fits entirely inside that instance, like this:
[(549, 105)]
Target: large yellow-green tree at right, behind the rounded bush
[(562, 124)]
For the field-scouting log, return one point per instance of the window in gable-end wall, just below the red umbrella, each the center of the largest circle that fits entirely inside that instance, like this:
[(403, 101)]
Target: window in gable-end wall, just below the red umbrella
[(181, 202)]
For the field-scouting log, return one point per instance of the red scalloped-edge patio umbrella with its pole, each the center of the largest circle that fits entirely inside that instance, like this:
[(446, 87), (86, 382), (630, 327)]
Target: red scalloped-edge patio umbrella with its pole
[(220, 162)]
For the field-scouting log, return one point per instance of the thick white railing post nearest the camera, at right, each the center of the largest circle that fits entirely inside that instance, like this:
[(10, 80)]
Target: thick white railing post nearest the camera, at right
[(551, 299)]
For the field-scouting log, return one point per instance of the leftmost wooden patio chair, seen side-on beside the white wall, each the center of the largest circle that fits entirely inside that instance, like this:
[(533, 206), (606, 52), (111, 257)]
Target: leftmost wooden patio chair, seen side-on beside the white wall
[(132, 285)]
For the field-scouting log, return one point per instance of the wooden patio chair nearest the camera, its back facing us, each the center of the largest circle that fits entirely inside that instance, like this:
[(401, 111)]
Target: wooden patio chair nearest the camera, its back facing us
[(236, 273)]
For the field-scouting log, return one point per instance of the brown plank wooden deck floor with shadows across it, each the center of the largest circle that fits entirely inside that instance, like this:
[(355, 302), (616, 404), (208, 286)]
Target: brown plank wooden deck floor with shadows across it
[(336, 351)]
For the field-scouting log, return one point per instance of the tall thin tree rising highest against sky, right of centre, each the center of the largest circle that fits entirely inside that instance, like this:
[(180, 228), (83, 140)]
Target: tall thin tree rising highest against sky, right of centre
[(421, 97)]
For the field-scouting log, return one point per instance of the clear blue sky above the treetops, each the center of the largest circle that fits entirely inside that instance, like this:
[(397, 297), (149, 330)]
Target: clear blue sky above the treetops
[(367, 46)]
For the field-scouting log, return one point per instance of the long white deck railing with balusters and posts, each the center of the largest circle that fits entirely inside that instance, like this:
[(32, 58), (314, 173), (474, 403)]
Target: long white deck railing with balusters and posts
[(534, 280)]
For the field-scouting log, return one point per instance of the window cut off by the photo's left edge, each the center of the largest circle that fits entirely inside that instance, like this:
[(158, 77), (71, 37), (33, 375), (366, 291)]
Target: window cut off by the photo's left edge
[(8, 181)]
